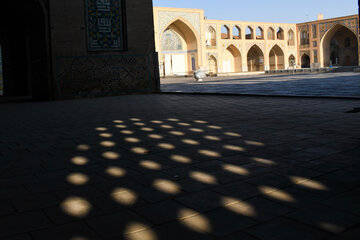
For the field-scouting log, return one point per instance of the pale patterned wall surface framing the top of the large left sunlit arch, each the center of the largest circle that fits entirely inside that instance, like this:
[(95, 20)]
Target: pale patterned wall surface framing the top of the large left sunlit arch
[(166, 17)]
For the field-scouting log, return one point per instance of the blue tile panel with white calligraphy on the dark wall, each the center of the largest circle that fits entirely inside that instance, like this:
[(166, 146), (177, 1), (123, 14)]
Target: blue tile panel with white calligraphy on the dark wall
[(105, 25)]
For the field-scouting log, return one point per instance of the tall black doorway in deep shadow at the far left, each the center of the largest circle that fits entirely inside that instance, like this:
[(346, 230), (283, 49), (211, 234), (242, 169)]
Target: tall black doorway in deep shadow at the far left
[(26, 61)]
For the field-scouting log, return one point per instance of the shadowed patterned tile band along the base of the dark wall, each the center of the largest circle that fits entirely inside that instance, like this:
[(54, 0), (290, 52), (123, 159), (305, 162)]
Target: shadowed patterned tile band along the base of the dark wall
[(84, 76)]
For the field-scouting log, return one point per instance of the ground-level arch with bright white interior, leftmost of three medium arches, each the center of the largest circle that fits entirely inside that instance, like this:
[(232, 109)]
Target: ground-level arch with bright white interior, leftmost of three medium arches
[(232, 60)]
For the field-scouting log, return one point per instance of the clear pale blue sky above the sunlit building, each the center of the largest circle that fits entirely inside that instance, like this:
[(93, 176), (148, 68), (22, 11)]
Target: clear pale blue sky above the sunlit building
[(283, 11)]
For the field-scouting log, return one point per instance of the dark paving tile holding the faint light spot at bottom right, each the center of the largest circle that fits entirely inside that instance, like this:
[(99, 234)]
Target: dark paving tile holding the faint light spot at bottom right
[(325, 218)]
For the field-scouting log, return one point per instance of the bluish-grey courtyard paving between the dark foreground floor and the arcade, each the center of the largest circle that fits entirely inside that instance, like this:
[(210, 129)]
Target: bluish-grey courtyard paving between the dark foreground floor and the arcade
[(325, 84)]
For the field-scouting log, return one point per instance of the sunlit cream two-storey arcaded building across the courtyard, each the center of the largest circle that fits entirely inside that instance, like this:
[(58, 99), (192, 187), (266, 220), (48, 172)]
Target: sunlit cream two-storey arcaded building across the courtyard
[(231, 47)]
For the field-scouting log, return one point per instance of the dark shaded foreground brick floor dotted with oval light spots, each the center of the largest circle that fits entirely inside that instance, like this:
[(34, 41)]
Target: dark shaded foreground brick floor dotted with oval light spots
[(167, 167)]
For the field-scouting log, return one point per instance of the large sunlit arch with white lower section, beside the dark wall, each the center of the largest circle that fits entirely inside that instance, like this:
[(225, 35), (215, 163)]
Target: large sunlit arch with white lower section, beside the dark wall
[(179, 48)]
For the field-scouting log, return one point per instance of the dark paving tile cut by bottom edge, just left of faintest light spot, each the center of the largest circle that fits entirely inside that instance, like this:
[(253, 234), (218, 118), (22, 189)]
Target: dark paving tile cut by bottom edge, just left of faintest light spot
[(285, 229)]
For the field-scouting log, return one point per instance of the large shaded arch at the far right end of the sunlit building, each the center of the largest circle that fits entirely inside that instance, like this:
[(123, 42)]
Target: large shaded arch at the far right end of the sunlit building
[(339, 47)]
